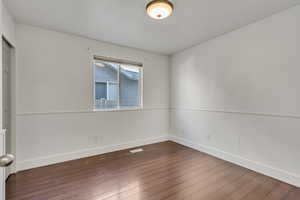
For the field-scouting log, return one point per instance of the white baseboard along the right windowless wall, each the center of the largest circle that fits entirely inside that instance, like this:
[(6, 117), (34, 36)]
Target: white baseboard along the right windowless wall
[(285, 176)]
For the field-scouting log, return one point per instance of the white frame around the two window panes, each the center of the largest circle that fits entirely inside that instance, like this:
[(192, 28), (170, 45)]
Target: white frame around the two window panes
[(141, 84)]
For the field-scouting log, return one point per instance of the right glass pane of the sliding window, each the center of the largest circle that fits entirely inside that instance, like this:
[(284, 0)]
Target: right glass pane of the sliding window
[(130, 85)]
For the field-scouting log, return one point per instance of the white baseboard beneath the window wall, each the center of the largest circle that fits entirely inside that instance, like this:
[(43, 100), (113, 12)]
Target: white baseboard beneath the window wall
[(53, 159)]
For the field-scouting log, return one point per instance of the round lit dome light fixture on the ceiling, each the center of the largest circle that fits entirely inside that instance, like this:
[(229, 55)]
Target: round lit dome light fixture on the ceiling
[(159, 9)]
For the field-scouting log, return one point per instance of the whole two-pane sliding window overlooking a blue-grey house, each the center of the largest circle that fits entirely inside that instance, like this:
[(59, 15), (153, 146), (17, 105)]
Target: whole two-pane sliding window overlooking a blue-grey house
[(117, 84)]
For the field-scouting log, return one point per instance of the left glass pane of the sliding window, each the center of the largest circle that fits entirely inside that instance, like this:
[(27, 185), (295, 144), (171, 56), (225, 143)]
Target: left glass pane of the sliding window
[(106, 85)]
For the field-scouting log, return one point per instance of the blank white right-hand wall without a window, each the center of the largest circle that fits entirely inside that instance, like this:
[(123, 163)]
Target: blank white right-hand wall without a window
[(237, 96)]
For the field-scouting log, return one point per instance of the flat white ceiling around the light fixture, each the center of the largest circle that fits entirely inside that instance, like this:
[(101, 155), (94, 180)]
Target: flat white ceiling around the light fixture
[(125, 22)]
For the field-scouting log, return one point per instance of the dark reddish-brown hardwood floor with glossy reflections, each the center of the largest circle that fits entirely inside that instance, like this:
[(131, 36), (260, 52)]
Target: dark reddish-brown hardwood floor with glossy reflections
[(163, 171)]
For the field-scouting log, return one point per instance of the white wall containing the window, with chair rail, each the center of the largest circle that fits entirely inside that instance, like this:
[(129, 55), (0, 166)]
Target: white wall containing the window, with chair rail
[(55, 121)]
